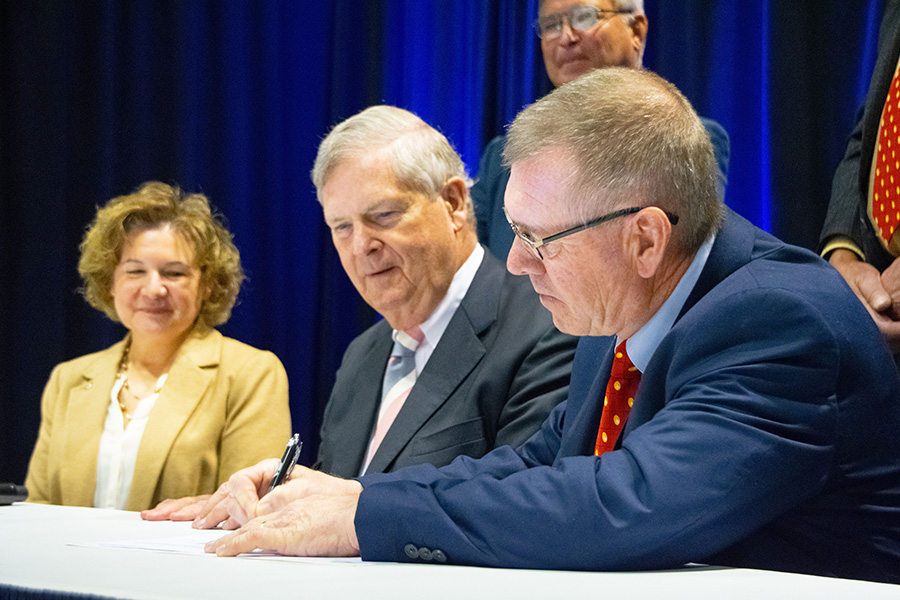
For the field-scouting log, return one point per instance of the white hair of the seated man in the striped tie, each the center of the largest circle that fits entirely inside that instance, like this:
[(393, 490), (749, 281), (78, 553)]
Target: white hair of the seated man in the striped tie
[(422, 158)]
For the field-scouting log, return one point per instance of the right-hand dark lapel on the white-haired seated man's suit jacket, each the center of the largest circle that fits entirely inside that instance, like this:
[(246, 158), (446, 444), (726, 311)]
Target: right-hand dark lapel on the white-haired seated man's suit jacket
[(458, 352)]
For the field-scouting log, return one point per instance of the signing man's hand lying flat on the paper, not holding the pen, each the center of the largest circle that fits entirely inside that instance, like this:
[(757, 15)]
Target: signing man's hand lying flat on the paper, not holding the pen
[(319, 525)]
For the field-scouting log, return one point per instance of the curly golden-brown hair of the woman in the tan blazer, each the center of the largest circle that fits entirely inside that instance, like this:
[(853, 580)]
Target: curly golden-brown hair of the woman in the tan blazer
[(152, 206)]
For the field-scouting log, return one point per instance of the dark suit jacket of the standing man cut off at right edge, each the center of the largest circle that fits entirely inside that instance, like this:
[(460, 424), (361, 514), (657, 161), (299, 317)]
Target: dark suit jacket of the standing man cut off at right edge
[(850, 188)]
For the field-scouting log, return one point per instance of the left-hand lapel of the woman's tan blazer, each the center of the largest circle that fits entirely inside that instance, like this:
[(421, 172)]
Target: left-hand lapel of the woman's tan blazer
[(87, 409)]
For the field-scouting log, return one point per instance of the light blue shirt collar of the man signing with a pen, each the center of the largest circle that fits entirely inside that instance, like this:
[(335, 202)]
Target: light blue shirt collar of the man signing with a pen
[(643, 344)]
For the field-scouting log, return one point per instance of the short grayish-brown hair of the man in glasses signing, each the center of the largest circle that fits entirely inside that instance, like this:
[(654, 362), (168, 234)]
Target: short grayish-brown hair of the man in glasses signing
[(633, 139)]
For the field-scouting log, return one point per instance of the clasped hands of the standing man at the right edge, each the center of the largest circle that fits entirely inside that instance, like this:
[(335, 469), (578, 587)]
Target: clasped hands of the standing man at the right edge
[(879, 293)]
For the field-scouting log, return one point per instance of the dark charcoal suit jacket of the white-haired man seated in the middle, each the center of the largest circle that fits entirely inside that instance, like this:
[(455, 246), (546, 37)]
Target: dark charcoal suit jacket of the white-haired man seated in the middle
[(497, 372)]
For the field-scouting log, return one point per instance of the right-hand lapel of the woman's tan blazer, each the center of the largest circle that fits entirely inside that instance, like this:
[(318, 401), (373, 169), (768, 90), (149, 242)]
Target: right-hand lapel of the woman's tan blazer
[(189, 380)]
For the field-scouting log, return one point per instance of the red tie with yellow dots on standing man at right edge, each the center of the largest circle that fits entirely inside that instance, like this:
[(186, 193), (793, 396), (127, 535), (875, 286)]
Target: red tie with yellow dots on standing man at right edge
[(884, 207)]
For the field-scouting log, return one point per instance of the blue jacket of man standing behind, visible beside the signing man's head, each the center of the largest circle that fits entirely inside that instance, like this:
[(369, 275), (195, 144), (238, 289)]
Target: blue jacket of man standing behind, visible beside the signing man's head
[(490, 187)]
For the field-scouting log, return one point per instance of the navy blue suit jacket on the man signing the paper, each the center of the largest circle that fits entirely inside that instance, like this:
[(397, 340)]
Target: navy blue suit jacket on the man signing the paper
[(763, 435)]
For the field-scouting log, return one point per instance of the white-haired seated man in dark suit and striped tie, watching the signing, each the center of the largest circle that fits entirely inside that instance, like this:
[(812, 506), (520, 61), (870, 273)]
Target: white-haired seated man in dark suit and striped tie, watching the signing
[(466, 358)]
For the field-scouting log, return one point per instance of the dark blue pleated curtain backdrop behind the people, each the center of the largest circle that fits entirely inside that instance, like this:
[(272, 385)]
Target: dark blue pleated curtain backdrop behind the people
[(230, 98)]
